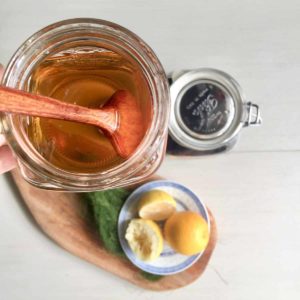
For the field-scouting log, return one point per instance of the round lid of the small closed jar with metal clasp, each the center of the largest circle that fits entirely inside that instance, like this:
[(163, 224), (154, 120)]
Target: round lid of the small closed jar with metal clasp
[(207, 109)]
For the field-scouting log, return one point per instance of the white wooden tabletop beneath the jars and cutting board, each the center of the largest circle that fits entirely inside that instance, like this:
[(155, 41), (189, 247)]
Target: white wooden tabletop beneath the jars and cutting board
[(253, 191)]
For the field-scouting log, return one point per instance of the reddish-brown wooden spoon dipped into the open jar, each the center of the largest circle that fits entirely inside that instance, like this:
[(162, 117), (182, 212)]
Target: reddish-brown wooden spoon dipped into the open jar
[(120, 118)]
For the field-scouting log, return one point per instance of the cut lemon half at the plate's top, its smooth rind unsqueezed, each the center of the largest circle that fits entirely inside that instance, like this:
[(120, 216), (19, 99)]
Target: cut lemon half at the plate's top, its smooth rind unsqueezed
[(156, 205)]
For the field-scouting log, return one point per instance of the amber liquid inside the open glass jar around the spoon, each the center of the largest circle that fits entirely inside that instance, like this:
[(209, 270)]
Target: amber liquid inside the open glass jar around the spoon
[(87, 78)]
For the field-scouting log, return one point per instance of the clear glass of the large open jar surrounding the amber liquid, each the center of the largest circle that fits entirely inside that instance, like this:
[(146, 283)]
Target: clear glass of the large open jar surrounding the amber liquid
[(71, 35)]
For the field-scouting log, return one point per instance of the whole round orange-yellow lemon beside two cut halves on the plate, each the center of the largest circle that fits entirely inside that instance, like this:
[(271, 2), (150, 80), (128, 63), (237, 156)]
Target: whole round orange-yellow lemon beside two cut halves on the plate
[(186, 232)]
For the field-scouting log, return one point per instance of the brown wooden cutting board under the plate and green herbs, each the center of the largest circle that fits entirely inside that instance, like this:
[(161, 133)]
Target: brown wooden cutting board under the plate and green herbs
[(63, 218)]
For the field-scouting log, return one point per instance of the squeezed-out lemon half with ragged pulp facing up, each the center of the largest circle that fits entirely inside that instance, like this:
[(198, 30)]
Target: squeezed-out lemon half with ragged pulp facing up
[(144, 238)]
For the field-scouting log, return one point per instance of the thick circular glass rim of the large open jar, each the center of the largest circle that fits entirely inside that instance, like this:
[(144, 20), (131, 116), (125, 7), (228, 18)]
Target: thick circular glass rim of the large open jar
[(146, 59)]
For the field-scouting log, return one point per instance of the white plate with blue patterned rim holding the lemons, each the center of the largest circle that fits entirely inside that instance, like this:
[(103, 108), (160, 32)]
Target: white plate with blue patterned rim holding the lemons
[(169, 262)]
